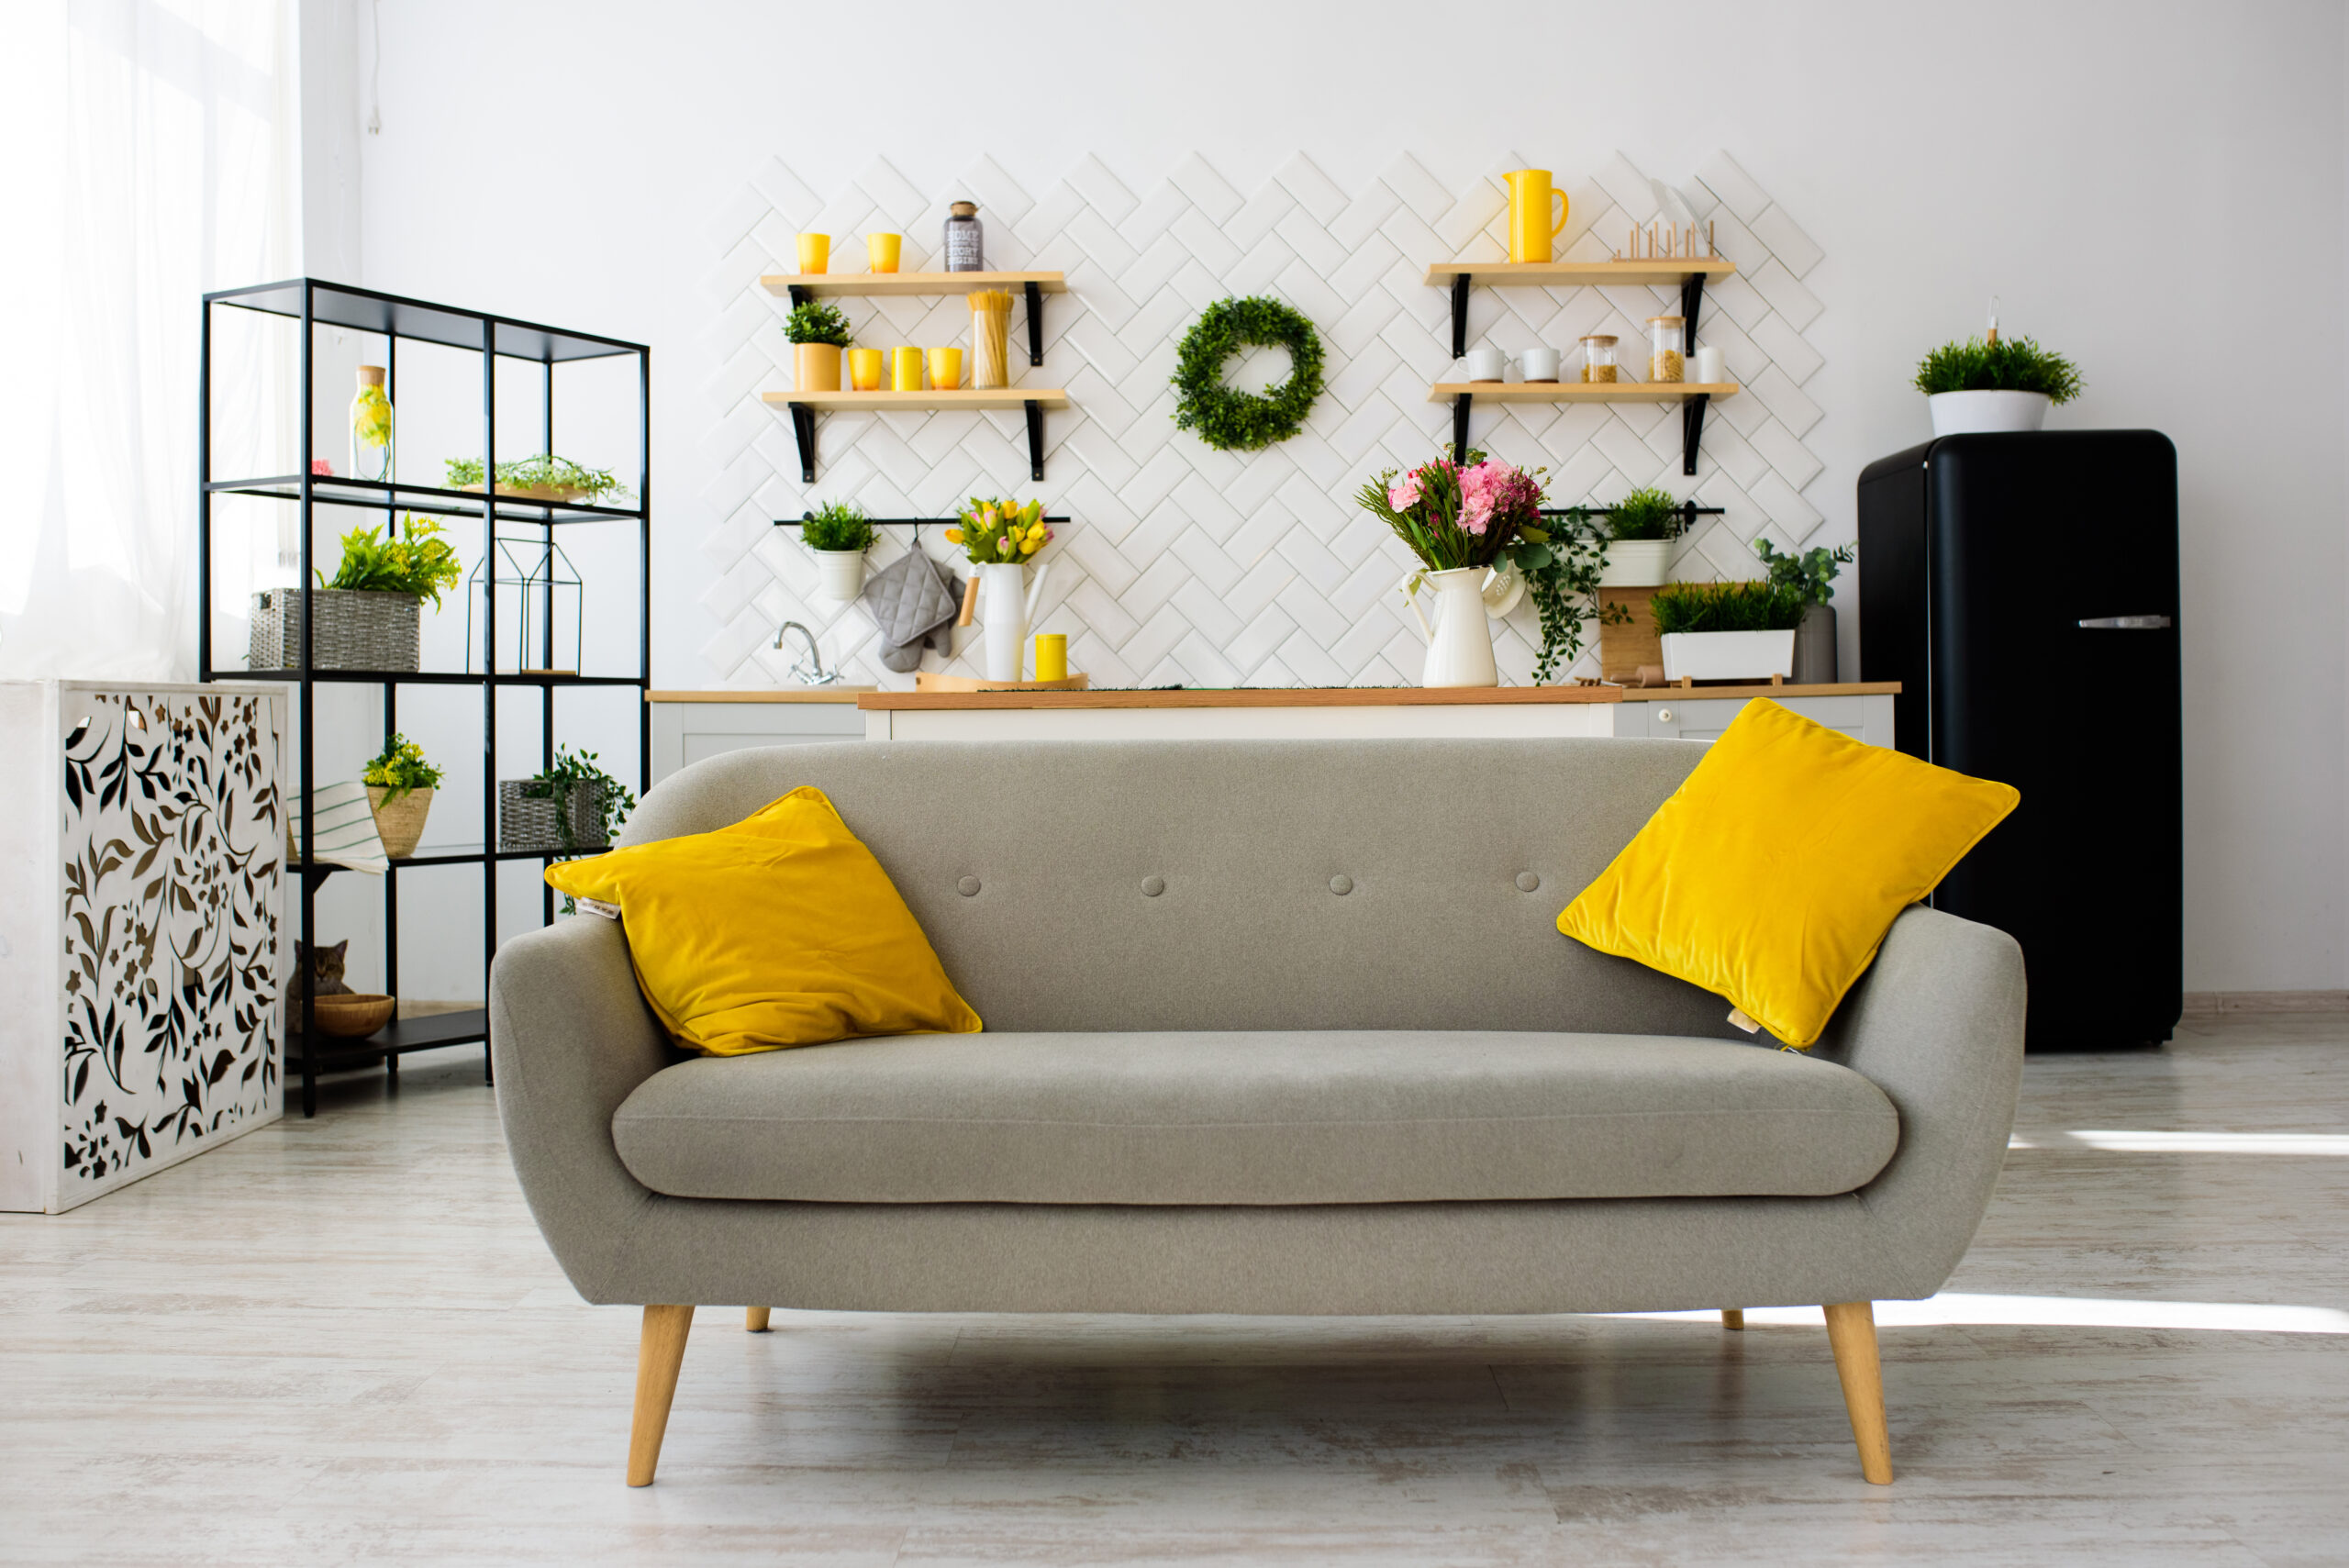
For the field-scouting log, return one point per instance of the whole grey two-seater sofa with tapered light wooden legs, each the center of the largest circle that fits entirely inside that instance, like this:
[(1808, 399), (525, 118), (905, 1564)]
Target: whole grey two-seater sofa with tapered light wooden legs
[(1272, 1027)]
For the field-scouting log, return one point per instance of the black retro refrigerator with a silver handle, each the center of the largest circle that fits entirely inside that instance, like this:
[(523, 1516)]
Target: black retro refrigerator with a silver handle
[(2024, 590)]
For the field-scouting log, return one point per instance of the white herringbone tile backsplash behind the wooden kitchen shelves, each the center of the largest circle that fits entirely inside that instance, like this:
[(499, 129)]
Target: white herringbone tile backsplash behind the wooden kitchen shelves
[(1185, 565)]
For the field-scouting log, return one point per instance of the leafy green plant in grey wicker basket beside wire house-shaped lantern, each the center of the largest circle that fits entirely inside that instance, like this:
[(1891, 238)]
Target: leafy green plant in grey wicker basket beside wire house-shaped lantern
[(368, 614)]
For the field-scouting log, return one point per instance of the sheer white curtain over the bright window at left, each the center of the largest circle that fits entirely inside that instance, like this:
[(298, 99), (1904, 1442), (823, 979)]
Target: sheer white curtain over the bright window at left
[(154, 154)]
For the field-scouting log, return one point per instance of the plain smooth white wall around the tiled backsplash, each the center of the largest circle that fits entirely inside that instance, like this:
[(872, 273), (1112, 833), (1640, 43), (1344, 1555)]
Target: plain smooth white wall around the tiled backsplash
[(2146, 187)]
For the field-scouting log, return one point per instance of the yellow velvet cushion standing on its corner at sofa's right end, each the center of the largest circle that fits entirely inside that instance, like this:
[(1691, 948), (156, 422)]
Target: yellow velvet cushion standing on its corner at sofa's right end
[(1779, 865)]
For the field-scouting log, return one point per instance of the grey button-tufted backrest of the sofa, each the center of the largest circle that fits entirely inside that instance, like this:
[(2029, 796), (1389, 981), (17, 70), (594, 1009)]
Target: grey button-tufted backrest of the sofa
[(1183, 886)]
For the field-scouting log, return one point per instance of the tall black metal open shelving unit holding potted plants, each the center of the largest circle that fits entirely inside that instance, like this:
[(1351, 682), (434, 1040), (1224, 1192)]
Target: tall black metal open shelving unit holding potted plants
[(318, 304)]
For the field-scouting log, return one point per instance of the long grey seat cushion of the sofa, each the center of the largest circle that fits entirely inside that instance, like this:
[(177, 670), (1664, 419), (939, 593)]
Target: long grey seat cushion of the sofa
[(1256, 1118)]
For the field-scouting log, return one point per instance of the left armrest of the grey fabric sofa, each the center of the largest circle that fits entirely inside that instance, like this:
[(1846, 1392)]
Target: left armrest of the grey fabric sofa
[(572, 1036)]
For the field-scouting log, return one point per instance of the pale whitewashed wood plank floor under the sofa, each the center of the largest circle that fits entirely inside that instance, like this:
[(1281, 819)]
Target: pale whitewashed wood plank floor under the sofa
[(344, 1344)]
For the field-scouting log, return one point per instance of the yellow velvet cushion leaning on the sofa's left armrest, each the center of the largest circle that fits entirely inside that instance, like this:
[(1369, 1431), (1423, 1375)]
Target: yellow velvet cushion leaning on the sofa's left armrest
[(779, 931)]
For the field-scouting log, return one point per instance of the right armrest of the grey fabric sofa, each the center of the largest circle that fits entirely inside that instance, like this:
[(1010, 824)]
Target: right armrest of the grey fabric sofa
[(1937, 1025)]
